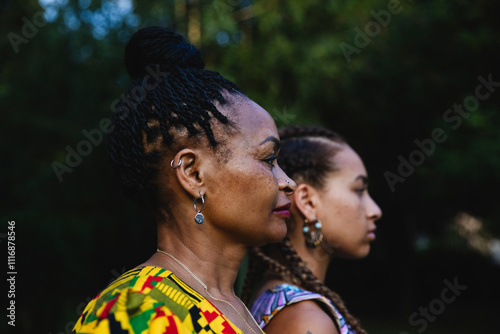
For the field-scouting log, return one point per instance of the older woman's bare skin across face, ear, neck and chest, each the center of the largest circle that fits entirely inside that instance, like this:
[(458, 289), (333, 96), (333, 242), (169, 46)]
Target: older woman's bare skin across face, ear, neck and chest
[(242, 186)]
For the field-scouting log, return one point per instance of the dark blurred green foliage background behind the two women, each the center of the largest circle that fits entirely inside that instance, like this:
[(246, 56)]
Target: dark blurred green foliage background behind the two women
[(75, 234)]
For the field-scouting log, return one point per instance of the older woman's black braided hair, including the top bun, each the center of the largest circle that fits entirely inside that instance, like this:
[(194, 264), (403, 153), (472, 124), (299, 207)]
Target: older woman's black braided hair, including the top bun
[(170, 101)]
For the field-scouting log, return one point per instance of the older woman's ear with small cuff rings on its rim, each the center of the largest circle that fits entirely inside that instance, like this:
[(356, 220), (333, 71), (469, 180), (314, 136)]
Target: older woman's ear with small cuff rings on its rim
[(188, 169)]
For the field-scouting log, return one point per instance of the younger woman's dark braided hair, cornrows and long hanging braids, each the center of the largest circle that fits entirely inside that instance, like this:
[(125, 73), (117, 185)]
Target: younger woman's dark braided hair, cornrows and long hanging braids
[(306, 156)]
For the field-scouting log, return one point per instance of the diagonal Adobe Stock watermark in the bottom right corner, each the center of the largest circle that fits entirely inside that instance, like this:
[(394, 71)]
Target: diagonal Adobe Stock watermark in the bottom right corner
[(436, 306)]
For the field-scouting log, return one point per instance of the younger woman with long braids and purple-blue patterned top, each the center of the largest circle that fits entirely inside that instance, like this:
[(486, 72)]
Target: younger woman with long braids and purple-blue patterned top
[(332, 216)]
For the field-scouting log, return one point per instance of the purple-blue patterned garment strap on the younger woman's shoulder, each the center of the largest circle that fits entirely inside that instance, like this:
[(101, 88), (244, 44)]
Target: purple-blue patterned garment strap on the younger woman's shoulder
[(275, 299)]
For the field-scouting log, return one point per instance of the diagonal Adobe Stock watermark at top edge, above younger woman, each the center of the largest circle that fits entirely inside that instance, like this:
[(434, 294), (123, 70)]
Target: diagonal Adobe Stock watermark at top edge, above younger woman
[(362, 39)]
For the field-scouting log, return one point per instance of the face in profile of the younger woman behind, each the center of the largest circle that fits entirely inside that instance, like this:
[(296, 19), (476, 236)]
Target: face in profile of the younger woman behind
[(347, 211)]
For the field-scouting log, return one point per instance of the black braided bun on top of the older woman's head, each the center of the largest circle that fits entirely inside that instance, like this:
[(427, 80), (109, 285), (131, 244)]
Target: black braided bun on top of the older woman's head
[(162, 46)]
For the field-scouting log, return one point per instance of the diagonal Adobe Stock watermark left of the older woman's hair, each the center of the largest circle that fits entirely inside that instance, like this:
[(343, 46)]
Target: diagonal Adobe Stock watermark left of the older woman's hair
[(94, 137)]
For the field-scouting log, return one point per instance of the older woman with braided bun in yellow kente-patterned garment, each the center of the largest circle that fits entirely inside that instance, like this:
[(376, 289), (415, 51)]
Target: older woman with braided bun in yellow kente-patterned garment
[(202, 156)]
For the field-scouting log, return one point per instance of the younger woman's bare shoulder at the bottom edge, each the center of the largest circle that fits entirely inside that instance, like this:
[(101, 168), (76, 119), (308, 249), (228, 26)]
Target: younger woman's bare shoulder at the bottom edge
[(304, 317)]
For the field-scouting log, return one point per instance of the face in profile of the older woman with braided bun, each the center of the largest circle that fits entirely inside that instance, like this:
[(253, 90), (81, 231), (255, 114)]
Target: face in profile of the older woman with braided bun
[(245, 193)]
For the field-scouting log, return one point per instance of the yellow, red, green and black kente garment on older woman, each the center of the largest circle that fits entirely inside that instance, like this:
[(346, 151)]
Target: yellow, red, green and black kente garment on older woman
[(152, 300)]
